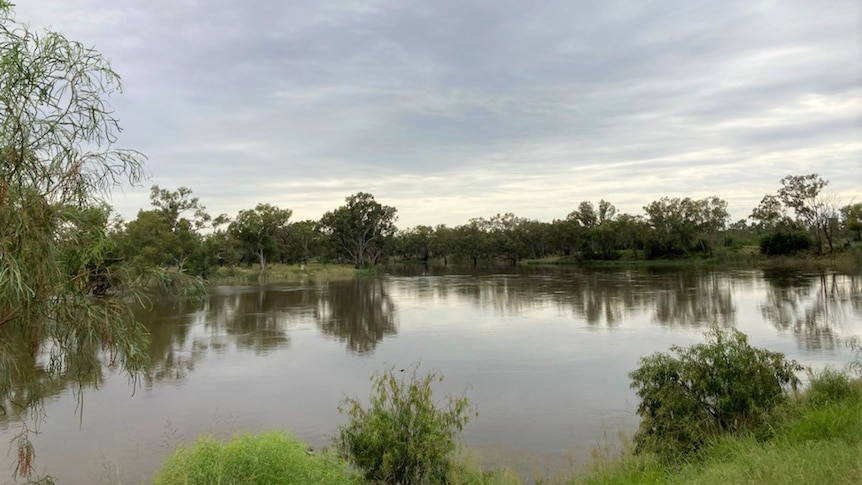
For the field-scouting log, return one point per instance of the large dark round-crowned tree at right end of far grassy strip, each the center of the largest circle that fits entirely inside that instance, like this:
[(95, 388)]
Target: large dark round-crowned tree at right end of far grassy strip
[(360, 229)]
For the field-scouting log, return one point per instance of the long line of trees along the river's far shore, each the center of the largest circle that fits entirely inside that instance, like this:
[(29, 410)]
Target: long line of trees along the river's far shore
[(799, 218)]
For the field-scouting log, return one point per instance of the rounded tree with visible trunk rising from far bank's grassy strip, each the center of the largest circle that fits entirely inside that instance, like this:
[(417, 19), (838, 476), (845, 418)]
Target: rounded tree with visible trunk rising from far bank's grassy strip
[(259, 230)]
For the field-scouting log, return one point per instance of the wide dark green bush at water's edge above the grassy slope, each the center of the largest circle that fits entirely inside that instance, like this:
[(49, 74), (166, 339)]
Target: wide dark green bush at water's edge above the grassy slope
[(723, 386)]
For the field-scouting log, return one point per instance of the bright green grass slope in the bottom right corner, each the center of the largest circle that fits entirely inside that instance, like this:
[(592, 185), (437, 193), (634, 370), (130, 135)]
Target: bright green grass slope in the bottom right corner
[(817, 440)]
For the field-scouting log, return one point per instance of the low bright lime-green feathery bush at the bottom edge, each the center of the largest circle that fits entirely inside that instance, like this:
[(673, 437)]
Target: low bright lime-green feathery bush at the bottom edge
[(269, 459)]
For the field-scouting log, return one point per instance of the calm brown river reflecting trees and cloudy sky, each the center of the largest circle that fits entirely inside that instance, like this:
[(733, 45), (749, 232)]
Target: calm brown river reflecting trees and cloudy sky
[(543, 353)]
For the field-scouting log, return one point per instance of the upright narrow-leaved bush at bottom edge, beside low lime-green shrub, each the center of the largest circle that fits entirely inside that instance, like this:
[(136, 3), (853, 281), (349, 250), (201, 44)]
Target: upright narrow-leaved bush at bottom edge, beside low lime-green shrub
[(403, 437)]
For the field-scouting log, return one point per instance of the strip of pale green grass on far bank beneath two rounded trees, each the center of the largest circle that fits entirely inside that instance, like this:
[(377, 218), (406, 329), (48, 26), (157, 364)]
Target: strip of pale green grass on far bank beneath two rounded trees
[(283, 273)]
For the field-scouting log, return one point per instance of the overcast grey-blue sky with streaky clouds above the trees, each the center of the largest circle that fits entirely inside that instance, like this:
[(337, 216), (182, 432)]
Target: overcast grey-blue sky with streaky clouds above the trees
[(454, 109)]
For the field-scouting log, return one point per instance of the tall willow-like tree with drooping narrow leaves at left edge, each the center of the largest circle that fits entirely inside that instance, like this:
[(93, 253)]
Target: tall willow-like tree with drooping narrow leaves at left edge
[(62, 317)]
